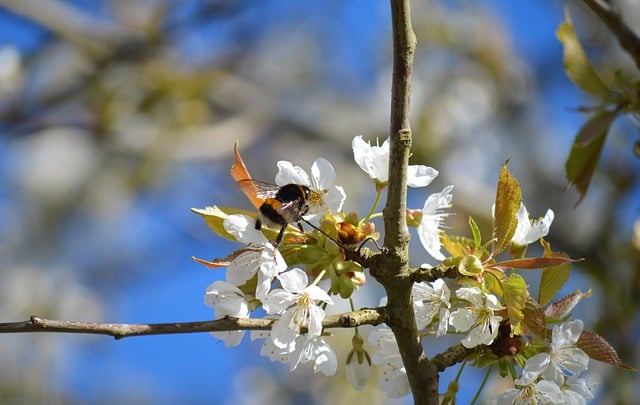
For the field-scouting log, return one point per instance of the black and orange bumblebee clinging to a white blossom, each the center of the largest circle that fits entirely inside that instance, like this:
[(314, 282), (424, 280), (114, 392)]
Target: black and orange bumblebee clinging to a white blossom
[(282, 206)]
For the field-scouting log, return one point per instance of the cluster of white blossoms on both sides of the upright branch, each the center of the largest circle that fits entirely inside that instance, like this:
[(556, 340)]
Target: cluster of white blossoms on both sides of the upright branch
[(285, 281)]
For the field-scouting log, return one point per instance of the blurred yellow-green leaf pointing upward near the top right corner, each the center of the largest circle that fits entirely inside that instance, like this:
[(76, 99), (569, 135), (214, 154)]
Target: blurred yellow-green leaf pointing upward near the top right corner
[(576, 64)]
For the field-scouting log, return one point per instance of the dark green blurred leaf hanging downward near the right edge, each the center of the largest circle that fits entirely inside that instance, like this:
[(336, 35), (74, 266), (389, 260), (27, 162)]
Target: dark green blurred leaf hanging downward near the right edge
[(586, 150)]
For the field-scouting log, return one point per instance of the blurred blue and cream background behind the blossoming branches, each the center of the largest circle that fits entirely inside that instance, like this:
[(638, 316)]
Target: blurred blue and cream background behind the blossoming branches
[(117, 117)]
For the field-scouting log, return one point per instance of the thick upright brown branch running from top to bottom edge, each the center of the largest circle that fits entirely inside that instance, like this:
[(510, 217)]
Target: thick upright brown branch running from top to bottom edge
[(391, 268)]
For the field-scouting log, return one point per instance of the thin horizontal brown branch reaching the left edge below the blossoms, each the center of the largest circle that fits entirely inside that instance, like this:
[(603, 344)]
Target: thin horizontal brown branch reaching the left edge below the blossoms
[(373, 316)]
